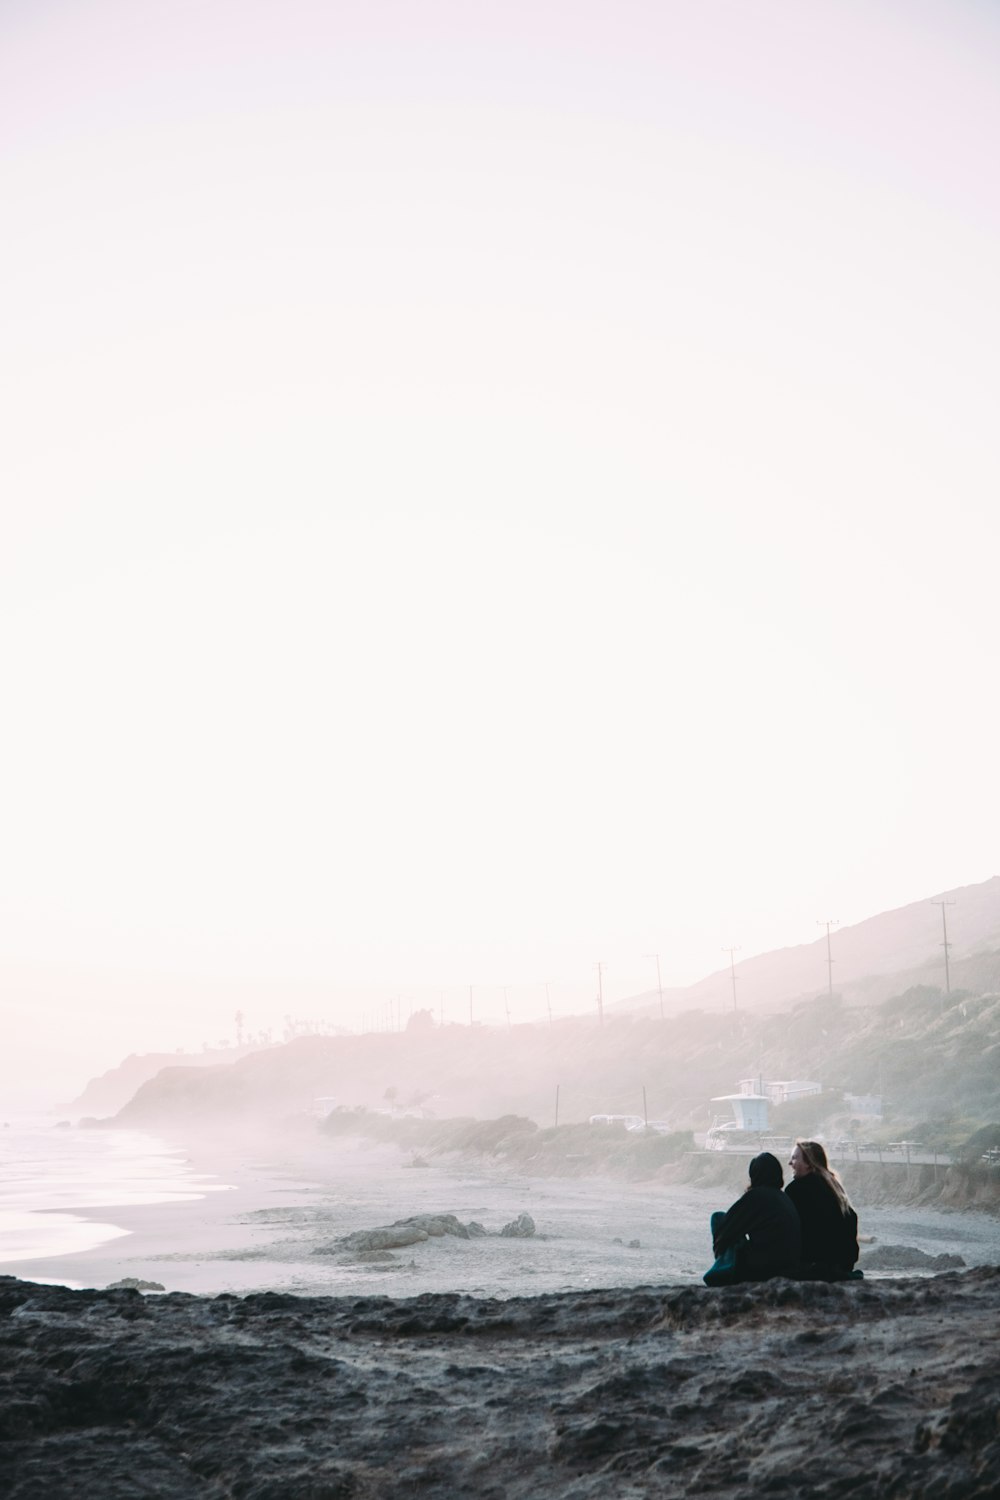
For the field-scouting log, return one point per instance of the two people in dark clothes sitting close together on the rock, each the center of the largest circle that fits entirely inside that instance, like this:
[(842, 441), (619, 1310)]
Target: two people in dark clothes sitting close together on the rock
[(807, 1232)]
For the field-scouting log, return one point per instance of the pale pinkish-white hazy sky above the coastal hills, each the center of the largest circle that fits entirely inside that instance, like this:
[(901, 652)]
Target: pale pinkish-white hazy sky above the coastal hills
[(491, 487)]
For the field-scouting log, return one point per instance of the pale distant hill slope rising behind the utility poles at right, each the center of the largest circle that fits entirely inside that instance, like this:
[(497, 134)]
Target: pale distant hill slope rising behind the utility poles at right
[(882, 956)]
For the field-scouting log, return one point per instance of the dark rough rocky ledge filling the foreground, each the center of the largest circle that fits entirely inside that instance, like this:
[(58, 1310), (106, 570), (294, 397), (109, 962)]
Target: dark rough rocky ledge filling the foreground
[(872, 1390)]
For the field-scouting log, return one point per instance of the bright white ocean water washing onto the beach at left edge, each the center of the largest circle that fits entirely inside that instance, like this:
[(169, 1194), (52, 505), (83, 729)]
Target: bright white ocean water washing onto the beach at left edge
[(52, 1172)]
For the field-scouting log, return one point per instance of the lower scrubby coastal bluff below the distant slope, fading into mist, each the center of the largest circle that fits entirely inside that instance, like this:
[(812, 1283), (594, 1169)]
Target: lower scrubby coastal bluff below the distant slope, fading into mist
[(933, 1058)]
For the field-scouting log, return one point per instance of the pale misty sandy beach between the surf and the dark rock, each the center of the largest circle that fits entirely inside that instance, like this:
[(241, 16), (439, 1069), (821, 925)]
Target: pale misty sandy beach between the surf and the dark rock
[(275, 1211)]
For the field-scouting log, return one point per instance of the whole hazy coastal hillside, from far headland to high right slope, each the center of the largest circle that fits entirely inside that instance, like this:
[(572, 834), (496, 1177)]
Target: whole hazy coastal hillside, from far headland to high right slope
[(891, 1028)]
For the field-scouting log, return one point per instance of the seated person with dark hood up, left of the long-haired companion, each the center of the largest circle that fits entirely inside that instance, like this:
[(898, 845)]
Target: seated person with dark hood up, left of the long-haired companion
[(758, 1238)]
